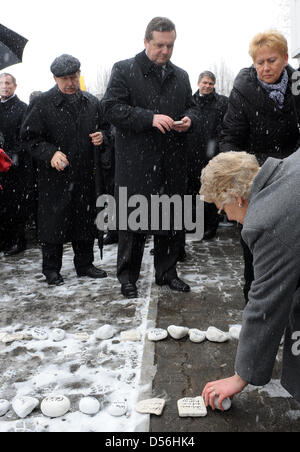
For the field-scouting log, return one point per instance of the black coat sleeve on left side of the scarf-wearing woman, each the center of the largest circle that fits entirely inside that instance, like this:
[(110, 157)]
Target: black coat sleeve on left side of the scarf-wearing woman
[(236, 131)]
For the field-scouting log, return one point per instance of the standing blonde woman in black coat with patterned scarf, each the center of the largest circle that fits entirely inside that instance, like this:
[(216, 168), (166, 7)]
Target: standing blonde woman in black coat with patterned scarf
[(263, 114)]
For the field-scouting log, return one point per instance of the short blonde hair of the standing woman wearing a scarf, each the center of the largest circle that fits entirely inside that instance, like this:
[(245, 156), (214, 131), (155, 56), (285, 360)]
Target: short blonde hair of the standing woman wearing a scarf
[(272, 39)]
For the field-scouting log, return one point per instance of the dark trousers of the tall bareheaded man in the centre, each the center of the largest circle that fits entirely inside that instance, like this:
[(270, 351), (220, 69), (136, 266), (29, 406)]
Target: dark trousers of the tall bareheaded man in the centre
[(130, 254)]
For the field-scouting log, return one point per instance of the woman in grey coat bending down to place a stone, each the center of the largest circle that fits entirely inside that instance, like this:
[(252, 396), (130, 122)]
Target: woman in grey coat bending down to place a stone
[(266, 201)]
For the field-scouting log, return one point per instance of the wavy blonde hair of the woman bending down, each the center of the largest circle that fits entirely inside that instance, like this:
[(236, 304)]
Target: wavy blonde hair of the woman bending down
[(228, 175)]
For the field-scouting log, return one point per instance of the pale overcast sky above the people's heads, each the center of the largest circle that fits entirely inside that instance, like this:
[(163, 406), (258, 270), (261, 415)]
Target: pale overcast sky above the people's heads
[(100, 33)]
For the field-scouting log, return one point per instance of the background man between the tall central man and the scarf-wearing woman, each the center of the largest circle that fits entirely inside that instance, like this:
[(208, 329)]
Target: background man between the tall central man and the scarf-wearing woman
[(203, 142)]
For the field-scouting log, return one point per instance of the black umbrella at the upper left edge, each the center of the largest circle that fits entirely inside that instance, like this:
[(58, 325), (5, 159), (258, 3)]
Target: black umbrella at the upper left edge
[(11, 47)]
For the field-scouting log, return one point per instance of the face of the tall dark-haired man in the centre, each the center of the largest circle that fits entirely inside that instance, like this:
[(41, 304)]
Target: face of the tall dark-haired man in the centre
[(160, 49)]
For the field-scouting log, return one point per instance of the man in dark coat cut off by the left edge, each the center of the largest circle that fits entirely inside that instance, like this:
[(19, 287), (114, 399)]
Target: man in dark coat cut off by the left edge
[(14, 198)]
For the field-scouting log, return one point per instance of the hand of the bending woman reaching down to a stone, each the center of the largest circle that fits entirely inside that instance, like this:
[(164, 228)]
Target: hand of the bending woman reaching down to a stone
[(222, 389)]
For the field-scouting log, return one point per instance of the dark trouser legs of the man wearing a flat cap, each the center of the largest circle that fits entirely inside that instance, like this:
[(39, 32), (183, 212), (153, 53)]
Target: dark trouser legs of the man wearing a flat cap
[(53, 254)]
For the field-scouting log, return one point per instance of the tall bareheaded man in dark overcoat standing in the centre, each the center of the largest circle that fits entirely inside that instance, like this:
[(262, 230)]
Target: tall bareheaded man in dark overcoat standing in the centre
[(145, 96)]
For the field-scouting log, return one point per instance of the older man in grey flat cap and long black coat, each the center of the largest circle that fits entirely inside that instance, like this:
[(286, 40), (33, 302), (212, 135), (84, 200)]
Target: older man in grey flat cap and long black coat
[(62, 128)]
